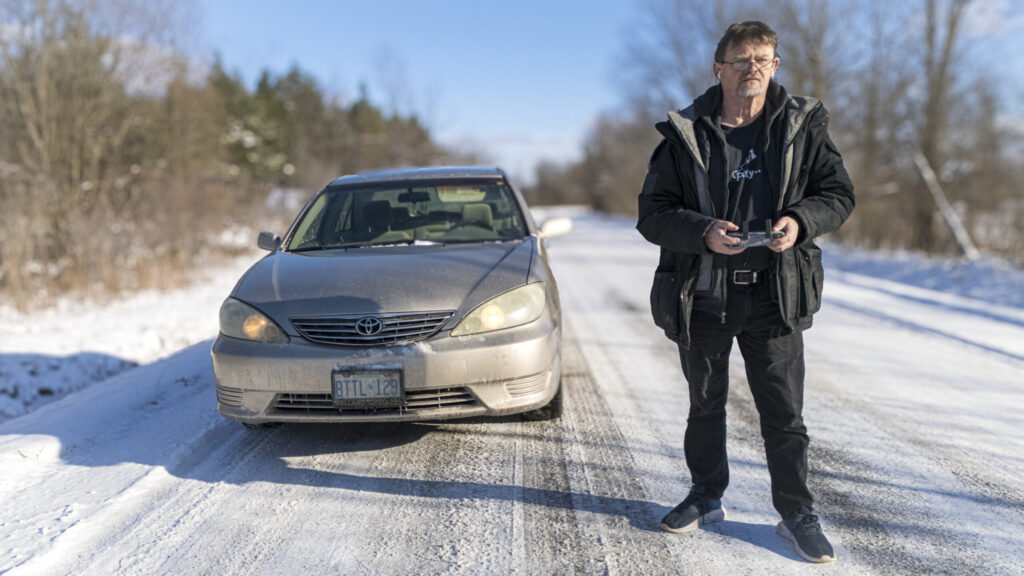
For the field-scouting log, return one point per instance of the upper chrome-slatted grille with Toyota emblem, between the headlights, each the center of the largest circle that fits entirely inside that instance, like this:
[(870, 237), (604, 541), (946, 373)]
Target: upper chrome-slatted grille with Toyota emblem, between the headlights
[(395, 328)]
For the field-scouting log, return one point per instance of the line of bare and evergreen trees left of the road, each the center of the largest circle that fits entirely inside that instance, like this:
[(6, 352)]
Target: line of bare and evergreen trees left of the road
[(120, 169)]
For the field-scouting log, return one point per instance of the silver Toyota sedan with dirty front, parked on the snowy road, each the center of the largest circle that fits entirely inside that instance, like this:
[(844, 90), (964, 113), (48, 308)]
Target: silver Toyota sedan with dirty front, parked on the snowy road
[(397, 296)]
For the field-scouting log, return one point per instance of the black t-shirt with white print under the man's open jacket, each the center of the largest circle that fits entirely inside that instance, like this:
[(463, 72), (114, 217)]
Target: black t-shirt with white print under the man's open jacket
[(750, 196)]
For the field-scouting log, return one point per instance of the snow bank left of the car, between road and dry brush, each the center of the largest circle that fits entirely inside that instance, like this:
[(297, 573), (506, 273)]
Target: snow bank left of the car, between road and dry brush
[(46, 355)]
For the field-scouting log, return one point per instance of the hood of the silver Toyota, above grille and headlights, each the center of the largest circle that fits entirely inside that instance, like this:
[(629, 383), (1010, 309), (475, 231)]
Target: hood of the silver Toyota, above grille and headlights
[(389, 279)]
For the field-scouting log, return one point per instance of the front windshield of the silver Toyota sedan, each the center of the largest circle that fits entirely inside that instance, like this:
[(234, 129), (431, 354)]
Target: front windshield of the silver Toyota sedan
[(404, 214)]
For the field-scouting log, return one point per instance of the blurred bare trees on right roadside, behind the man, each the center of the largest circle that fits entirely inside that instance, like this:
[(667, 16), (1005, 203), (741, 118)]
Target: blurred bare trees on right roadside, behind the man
[(899, 78)]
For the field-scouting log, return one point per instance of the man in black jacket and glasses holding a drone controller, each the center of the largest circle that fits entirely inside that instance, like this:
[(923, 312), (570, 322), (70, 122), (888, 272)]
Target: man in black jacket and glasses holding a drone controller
[(746, 159)]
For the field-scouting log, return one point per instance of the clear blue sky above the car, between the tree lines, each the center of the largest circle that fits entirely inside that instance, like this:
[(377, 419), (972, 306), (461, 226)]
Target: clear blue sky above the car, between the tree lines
[(518, 80)]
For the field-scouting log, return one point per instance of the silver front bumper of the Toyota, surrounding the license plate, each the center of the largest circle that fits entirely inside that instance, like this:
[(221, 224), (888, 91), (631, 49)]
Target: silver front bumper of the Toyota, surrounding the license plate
[(505, 373)]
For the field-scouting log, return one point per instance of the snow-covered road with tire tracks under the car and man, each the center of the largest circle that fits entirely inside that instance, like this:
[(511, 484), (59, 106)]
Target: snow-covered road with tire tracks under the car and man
[(915, 405)]
